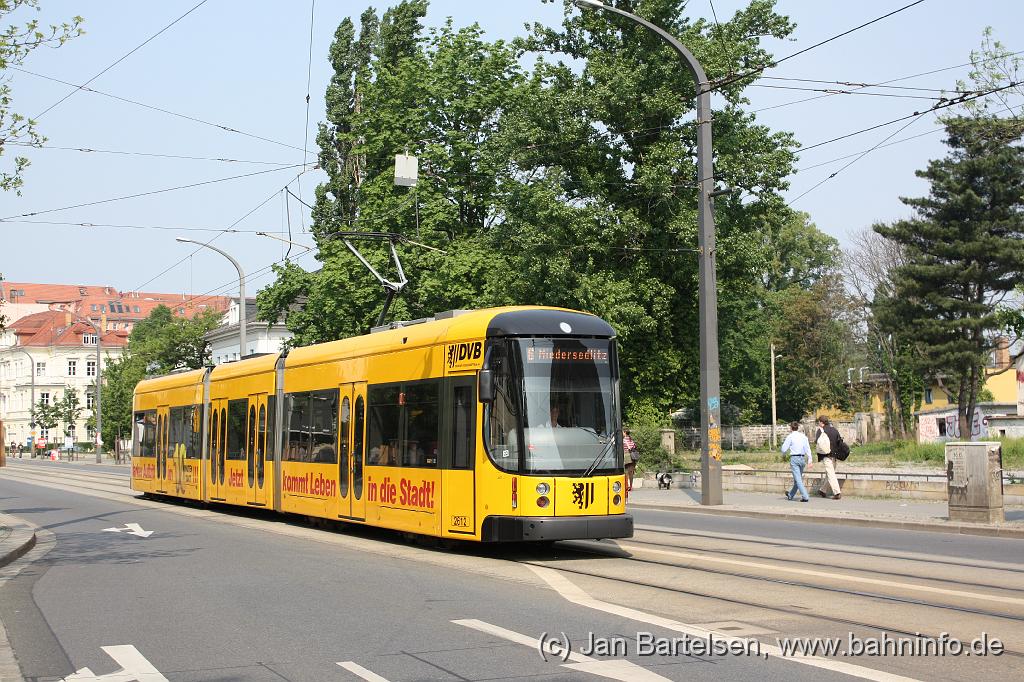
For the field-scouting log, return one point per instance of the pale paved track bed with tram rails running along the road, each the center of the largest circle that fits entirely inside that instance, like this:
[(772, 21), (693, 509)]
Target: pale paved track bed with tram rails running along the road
[(742, 586)]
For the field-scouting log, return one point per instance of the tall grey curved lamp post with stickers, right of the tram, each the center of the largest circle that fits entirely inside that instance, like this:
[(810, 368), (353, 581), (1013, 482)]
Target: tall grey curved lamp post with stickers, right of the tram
[(711, 403)]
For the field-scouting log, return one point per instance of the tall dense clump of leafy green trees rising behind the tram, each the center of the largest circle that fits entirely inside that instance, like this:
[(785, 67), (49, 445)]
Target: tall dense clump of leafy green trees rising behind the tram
[(572, 185)]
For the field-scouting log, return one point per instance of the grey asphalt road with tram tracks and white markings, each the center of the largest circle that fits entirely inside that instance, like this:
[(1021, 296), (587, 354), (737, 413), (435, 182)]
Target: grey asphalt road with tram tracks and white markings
[(216, 595)]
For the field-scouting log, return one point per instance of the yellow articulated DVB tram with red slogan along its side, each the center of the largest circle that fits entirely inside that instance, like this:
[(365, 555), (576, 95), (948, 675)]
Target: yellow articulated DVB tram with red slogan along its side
[(490, 425)]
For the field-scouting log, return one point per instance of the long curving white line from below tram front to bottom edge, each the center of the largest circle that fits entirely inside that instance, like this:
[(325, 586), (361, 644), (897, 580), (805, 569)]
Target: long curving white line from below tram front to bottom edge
[(571, 592)]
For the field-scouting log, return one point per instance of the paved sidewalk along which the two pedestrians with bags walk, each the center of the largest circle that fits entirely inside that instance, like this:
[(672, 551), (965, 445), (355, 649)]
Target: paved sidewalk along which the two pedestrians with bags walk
[(873, 513)]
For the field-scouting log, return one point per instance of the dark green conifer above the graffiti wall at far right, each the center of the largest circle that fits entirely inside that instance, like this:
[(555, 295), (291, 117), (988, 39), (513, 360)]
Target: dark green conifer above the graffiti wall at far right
[(964, 255)]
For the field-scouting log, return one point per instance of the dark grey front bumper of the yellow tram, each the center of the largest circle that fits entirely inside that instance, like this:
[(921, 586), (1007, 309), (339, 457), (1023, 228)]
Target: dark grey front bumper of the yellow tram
[(540, 529)]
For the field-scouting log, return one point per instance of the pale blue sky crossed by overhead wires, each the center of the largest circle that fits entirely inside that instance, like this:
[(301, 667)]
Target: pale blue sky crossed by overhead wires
[(245, 67)]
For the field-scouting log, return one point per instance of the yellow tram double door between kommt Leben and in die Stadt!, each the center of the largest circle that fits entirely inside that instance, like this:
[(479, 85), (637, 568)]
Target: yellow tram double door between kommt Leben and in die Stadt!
[(352, 442)]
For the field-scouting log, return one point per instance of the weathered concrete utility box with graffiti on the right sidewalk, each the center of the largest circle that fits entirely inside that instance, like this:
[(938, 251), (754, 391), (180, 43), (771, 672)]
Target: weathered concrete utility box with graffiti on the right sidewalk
[(975, 482)]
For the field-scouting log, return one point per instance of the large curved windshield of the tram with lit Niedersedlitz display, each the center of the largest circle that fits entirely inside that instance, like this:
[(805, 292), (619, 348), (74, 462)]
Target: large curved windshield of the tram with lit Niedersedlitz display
[(559, 397)]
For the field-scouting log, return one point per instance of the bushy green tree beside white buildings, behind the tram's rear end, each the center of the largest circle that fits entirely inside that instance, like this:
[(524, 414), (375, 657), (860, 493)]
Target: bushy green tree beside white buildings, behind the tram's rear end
[(158, 345)]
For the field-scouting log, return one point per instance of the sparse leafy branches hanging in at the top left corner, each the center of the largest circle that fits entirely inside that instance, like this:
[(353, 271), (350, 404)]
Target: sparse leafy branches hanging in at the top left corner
[(17, 44)]
